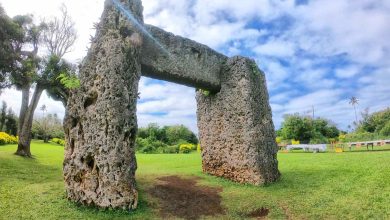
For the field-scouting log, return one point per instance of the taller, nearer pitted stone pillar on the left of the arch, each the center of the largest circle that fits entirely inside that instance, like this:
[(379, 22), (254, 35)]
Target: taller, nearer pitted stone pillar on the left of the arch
[(100, 122)]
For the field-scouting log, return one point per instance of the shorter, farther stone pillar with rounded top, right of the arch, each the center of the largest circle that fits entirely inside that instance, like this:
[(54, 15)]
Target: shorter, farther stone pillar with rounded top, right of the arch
[(235, 126)]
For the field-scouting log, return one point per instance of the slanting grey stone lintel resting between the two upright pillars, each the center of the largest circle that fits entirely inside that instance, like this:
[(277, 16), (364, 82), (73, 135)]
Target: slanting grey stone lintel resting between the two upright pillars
[(181, 60)]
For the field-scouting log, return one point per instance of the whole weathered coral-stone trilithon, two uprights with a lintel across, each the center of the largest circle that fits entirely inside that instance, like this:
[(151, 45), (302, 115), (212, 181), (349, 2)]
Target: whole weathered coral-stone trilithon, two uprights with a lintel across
[(234, 116)]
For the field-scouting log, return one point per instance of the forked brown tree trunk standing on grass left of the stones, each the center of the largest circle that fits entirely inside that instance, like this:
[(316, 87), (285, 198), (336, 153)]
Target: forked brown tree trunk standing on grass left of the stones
[(25, 125)]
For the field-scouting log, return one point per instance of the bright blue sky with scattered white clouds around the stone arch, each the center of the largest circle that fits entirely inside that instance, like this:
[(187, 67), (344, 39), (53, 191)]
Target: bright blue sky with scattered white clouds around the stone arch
[(315, 54)]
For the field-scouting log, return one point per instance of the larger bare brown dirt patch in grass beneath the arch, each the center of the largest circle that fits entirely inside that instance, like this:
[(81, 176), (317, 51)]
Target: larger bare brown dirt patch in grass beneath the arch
[(183, 198)]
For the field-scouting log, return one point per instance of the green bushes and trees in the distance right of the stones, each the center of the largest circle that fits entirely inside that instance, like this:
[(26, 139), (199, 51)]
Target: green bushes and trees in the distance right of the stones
[(319, 130)]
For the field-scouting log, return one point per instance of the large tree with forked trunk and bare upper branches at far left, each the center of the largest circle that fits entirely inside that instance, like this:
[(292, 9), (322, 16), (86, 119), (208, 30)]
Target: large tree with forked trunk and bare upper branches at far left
[(22, 67)]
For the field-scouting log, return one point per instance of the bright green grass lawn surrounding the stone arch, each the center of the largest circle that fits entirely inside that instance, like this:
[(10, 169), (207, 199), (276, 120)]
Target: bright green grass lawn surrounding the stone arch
[(350, 185)]
